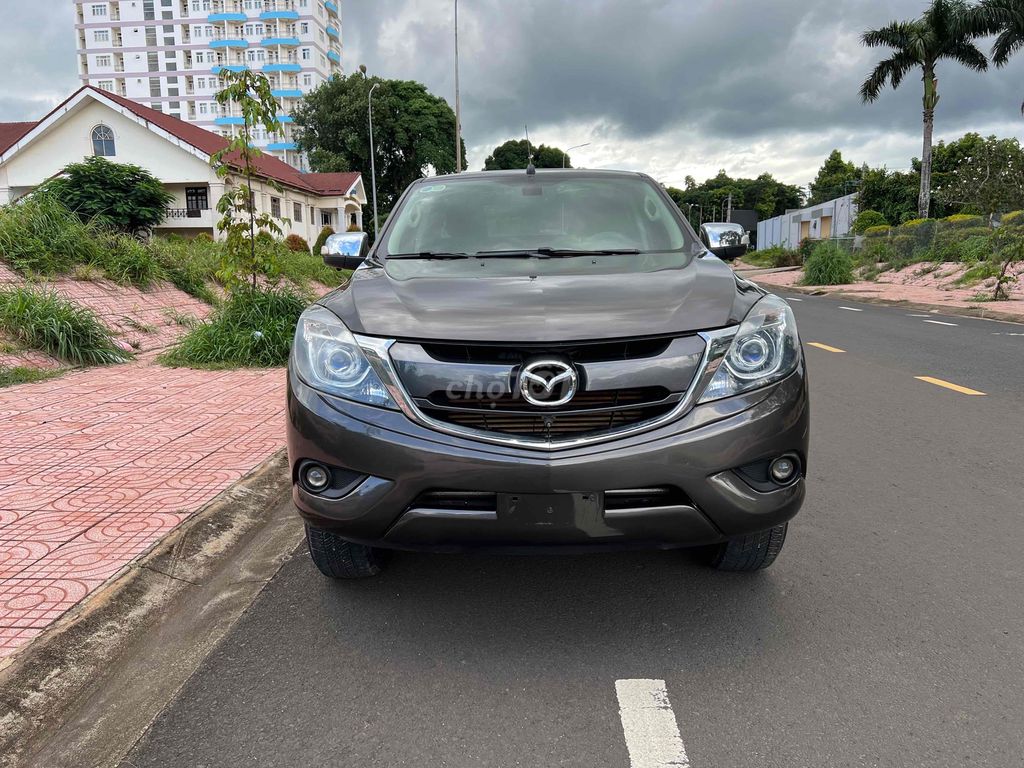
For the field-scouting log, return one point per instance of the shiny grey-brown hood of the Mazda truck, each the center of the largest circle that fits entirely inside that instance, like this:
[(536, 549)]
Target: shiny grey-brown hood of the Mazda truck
[(705, 294)]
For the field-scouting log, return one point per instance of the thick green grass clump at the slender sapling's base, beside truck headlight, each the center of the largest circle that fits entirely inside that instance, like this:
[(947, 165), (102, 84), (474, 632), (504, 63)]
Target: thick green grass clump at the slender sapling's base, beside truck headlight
[(253, 328)]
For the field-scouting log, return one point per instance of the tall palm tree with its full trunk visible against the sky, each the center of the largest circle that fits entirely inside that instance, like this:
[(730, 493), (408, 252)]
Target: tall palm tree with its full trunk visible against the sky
[(943, 32)]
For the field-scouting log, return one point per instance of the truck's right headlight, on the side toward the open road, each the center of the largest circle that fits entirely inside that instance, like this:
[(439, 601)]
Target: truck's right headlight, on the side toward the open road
[(765, 350)]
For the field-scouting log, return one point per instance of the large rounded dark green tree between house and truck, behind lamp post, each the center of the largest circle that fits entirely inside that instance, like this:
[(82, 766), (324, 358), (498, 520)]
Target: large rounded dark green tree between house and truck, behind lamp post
[(414, 132)]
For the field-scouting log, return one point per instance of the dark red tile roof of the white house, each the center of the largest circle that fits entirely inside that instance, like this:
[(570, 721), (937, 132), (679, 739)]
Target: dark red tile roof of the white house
[(205, 142)]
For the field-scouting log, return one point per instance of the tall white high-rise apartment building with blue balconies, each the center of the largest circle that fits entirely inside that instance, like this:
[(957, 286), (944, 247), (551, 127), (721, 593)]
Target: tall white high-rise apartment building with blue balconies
[(168, 54)]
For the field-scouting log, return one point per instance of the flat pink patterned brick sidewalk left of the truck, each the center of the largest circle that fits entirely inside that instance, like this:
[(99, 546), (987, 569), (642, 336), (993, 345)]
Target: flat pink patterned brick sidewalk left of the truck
[(100, 464)]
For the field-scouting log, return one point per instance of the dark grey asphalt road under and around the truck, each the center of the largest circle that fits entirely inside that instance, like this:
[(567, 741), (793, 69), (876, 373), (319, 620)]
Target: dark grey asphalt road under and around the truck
[(889, 633)]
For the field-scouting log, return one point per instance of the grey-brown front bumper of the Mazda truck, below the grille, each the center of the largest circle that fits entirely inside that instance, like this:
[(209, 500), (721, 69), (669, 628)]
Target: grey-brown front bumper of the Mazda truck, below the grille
[(404, 461)]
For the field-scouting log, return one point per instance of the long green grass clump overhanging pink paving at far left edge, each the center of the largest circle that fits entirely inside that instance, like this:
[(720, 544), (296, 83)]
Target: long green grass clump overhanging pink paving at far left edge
[(46, 321)]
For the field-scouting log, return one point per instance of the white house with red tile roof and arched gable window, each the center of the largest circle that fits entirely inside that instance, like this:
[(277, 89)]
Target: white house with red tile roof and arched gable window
[(93, 122)]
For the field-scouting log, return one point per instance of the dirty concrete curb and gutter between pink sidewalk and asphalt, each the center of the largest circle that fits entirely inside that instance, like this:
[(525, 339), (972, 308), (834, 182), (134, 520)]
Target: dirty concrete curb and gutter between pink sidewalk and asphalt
[(83, 691)]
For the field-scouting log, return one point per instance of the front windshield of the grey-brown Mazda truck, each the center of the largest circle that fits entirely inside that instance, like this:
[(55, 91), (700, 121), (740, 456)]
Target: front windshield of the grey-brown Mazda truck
[(556, 214)]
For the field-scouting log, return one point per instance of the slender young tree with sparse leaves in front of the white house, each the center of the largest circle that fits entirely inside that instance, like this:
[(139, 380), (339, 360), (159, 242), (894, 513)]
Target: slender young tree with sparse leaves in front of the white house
[(243, 261)]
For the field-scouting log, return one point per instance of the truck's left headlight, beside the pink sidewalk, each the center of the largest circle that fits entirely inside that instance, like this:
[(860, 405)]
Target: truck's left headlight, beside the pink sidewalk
[(328, 359)]
